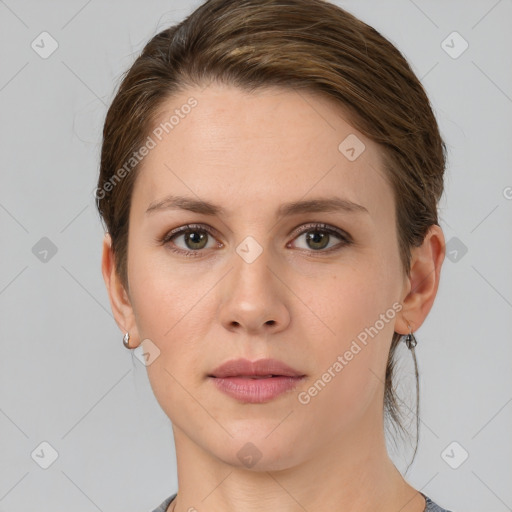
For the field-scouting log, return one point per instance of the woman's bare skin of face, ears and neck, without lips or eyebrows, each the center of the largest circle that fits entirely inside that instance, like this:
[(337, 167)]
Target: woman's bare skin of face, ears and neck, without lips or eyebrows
[(250, 153)]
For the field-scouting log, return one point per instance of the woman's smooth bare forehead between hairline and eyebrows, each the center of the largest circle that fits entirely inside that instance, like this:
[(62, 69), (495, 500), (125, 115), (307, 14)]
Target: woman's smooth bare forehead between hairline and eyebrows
[(259, 148)]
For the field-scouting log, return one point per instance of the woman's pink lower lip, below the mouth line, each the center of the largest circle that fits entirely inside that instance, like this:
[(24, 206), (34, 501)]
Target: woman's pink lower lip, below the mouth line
[(255, 391)]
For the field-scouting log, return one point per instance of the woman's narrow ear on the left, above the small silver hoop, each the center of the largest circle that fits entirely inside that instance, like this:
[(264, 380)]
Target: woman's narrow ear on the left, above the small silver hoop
[(119, 298)]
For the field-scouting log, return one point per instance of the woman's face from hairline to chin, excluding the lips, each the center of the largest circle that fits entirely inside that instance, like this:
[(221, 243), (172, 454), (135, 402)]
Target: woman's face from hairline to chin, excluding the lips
[(268, 269)]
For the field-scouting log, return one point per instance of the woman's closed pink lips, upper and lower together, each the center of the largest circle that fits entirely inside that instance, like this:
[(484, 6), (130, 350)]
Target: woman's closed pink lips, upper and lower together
[(237, 378)]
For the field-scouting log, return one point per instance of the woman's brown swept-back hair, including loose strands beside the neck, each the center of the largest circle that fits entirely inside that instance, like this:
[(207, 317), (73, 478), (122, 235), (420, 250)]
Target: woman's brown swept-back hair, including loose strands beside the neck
[(311, 45)]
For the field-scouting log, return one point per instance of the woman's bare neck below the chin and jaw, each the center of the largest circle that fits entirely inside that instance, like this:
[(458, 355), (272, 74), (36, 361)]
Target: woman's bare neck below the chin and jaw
[(347, 472)]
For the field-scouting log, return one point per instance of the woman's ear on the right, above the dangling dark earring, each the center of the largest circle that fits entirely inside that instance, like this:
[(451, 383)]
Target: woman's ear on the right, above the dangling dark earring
[(421, 285)]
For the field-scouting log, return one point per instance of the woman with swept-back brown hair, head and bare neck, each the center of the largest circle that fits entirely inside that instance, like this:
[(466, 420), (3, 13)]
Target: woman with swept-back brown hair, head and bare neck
[(270, 174)]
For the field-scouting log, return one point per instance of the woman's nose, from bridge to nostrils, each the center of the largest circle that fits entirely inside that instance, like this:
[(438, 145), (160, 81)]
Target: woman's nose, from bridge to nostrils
[(254, 297)]
